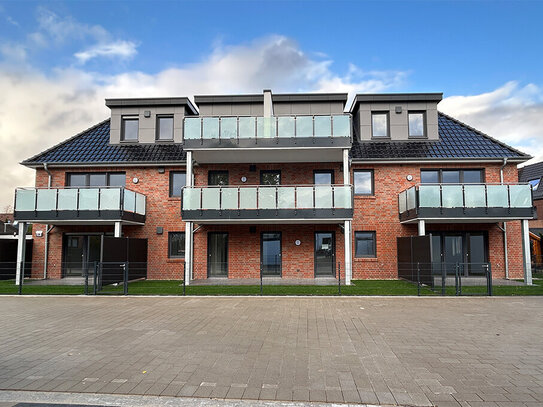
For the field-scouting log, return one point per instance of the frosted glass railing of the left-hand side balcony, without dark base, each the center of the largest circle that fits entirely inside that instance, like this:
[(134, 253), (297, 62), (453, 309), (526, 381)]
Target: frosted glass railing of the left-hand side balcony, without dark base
[(79, 199)]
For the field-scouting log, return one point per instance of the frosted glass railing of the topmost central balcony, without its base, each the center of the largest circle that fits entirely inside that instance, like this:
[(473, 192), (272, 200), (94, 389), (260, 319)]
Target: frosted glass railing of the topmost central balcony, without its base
[(254, 127)]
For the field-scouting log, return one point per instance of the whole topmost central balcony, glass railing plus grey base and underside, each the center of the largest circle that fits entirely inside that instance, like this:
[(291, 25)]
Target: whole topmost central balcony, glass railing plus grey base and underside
[(270, 139)]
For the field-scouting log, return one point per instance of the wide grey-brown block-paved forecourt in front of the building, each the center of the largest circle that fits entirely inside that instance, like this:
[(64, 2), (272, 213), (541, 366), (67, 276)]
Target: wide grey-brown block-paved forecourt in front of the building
[(407, 351)]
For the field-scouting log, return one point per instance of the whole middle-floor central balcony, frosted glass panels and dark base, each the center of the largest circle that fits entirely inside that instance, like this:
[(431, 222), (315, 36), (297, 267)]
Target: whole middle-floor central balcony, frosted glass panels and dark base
[(268, 204)]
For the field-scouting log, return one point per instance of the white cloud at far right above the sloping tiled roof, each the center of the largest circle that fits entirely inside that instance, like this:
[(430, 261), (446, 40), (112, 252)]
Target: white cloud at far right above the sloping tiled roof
[(512, 113)]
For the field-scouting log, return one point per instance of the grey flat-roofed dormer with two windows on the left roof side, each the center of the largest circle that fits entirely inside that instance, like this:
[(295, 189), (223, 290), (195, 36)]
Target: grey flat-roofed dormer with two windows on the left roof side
[(149, 120)]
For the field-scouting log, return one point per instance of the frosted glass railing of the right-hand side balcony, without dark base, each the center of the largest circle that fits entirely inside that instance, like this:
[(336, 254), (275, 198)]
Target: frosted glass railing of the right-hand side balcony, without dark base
[(465, 196)]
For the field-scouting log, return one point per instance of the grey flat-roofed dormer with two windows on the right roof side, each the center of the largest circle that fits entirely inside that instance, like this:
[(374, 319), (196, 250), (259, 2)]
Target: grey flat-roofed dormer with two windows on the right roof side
[(396, 117)]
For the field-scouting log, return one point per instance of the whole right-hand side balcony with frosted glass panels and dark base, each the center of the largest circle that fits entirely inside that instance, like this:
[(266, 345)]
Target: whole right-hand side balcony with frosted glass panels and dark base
[(466, 203)]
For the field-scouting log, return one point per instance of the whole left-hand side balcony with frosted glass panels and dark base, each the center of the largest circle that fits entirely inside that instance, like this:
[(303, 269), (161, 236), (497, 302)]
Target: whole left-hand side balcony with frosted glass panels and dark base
[(103, 205)]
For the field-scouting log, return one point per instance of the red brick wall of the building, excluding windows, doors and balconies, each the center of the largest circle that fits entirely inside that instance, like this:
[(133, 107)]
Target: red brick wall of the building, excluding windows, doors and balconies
[(377, 213)]
